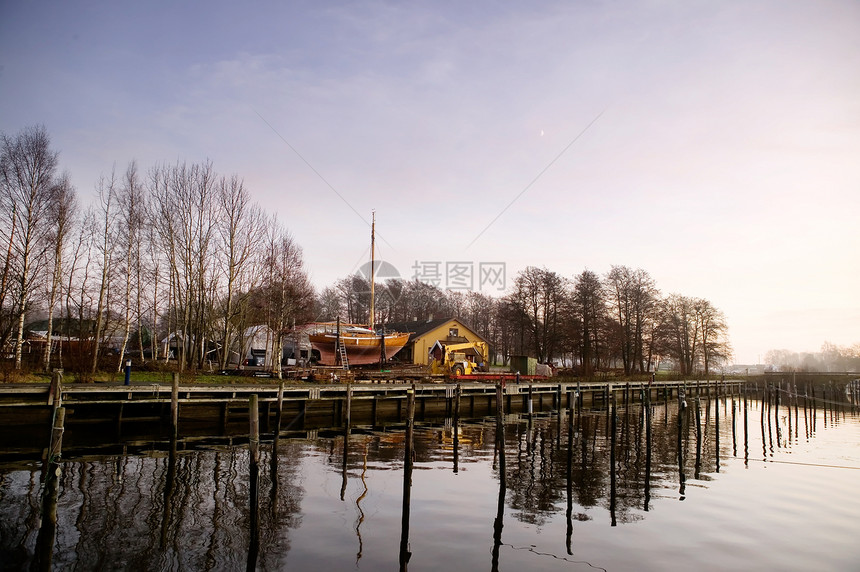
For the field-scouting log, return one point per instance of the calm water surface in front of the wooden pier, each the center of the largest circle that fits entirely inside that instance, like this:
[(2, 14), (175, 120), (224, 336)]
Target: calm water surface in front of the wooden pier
[(777, 496)]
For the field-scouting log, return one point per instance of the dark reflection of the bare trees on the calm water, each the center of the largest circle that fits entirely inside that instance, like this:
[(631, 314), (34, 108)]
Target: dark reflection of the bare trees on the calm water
[(174, 507)]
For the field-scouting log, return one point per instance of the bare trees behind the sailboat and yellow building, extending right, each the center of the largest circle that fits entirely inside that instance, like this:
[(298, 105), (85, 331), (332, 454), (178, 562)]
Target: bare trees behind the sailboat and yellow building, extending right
[(618, 321)]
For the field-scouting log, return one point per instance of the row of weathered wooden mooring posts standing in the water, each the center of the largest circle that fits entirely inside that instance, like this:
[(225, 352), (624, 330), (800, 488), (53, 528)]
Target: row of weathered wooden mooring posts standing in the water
[(772, 395)]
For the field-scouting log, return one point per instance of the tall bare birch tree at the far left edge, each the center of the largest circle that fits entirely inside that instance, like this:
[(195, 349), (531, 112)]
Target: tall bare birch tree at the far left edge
[(27, 171)]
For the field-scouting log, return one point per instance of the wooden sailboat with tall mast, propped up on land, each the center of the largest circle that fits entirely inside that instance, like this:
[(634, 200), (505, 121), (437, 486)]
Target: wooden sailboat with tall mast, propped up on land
[(350, 344)]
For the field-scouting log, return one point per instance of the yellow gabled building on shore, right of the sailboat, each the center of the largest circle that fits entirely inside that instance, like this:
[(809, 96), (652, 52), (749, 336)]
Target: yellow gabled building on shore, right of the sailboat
[(424, 335)]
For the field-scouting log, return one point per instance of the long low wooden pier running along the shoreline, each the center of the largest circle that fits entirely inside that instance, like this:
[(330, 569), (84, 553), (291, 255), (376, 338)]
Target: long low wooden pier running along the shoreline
[(34, 403)]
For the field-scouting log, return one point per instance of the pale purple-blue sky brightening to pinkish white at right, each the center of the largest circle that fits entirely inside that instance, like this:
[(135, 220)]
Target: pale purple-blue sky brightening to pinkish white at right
[(715, 145)]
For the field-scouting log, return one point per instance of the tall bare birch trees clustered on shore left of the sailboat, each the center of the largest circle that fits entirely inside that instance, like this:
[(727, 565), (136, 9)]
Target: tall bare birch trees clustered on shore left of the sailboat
[(175, 261)]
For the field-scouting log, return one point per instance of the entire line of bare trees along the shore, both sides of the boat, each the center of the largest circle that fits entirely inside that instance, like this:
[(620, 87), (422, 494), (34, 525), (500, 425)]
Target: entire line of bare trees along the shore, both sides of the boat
[(178, 261)]
